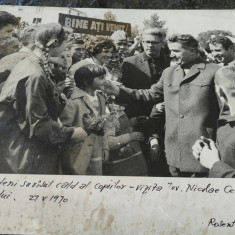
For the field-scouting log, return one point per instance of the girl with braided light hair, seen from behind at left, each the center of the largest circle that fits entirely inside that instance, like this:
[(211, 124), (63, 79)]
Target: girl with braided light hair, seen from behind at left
[(31, 132)]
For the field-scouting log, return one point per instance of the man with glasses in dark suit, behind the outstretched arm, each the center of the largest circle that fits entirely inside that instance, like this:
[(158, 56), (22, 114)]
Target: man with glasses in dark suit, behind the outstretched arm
[(143, 70)]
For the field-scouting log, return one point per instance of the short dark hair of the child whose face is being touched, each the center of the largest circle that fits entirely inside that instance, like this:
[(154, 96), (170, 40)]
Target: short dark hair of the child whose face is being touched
[(86, 74)]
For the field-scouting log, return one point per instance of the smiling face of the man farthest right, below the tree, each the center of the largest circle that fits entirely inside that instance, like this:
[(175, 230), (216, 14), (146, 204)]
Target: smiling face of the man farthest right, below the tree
[(220, 54)]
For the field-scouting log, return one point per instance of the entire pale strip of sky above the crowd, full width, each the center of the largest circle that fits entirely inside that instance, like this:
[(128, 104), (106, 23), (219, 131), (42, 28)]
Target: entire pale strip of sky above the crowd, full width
[(177, 21)]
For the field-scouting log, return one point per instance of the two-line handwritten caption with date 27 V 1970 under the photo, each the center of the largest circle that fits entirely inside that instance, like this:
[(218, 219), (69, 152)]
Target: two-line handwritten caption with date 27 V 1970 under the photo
[(7, 186)]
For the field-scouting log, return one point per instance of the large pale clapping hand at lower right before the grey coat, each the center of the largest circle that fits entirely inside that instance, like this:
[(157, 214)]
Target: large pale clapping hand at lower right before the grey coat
[(209, 155)]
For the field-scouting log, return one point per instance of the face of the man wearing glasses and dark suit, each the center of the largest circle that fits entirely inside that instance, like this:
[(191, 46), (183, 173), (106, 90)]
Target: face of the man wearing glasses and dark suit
[(152, 45)]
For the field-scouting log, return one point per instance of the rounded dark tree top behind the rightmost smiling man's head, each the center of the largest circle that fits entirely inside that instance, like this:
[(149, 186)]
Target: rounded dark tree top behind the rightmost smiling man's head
[(204, 37)]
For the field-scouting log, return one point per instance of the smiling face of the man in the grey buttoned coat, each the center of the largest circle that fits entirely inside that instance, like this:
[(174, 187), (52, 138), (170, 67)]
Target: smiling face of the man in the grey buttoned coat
[(179, 54)]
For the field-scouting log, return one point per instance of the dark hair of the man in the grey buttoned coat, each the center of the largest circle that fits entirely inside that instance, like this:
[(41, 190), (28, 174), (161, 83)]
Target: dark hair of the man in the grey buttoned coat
[(186, 40)]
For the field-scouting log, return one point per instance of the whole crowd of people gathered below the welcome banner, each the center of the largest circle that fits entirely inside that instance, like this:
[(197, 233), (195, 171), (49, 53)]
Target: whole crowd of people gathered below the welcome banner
[(157, 105)]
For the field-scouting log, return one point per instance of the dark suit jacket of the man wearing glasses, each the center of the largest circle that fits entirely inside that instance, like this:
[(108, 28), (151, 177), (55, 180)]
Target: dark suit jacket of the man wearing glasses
[(136, 74)]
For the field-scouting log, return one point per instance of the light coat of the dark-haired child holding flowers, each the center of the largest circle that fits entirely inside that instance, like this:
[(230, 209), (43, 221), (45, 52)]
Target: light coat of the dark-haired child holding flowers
[(87, 156)]
